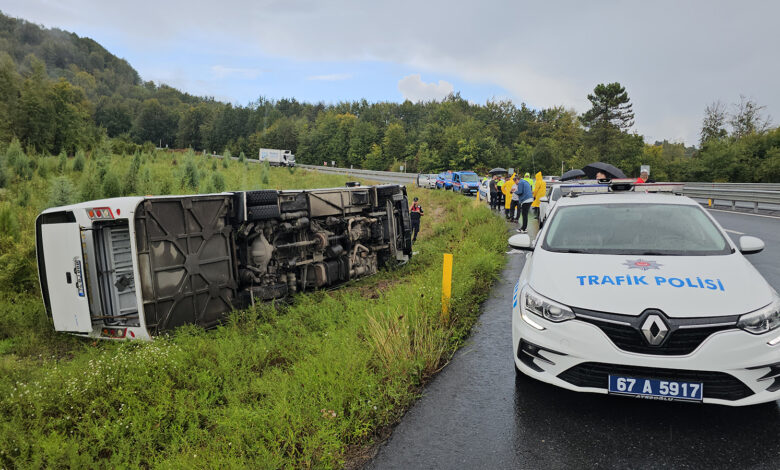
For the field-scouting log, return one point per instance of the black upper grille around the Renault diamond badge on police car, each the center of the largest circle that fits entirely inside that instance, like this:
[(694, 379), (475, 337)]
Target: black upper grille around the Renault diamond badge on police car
[(685, 335)]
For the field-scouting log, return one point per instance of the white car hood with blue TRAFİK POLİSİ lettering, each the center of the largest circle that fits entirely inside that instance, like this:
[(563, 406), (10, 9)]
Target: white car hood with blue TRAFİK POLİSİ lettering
[(680, 286)]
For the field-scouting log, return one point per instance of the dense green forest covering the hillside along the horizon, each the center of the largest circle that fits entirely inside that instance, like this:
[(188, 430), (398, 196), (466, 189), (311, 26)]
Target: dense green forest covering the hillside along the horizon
[(62, 93)]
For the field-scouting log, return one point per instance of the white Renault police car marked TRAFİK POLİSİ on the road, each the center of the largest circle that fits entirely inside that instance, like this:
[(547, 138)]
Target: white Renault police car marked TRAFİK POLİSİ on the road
[(636, 290)]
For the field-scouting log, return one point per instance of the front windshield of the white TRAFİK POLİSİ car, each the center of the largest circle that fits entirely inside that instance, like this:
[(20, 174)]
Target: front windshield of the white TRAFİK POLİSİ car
[(637, 229)]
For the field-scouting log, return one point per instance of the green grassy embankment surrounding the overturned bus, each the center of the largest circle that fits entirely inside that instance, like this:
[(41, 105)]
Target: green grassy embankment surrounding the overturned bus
[(300, 385)]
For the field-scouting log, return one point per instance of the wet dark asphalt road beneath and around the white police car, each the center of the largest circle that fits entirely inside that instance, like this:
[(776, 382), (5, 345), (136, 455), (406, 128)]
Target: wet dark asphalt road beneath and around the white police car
[(478, 414)]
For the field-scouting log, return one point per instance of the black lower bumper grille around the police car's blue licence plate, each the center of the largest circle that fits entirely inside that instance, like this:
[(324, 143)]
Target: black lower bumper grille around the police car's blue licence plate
[(715, 384)]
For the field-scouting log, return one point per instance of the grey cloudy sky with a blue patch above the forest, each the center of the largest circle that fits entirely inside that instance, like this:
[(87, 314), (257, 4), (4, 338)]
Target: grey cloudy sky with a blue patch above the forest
[(673, 57)]
